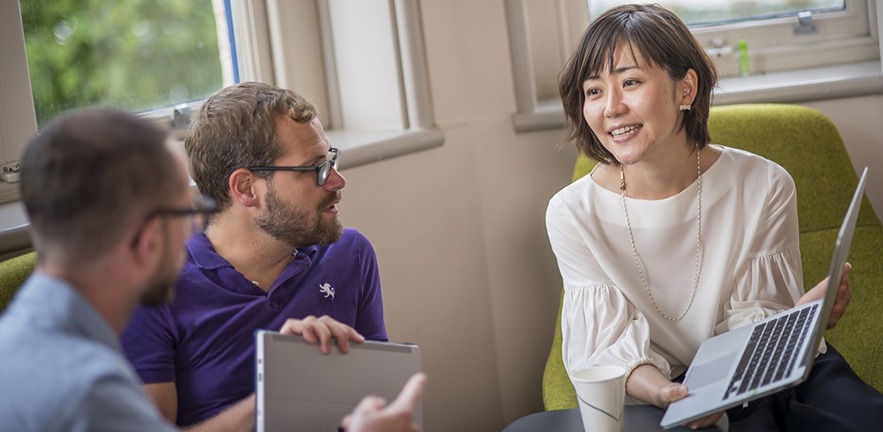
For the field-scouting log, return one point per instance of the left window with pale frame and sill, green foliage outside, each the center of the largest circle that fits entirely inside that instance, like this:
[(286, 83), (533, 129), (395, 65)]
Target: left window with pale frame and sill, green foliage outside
[(151, 57)]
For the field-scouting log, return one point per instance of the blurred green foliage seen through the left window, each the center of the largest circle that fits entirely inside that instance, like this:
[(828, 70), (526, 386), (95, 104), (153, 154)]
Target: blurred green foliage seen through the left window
[(136, 54)]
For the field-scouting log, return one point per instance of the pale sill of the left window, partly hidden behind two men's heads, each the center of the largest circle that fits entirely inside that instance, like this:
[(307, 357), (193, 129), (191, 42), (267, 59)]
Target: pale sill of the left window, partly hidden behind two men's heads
[(358, 148)]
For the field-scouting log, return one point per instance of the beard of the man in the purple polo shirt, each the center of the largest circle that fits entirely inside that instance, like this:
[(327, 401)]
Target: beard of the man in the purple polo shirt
[(299, 227)]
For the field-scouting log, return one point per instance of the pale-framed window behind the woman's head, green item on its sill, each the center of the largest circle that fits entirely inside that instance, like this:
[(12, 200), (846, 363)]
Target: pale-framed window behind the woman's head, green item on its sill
[(796, 49)]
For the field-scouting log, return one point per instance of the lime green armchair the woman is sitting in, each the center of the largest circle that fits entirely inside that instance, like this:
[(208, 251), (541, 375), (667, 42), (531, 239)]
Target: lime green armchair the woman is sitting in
[(809, 147)]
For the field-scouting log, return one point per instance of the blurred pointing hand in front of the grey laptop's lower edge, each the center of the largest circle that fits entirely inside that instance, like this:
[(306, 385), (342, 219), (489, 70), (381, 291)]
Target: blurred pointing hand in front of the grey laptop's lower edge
[(373, 415)]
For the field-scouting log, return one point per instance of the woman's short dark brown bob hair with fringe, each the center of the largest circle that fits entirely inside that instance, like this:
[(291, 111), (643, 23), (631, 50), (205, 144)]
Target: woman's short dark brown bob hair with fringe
[(664, 41)]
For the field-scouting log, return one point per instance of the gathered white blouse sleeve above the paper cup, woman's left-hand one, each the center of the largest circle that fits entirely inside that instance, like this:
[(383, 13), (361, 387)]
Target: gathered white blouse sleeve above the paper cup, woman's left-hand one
[(601, 327)]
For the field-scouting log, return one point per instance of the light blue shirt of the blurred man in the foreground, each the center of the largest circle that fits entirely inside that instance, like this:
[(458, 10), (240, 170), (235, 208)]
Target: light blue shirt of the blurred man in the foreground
[(63, 369)]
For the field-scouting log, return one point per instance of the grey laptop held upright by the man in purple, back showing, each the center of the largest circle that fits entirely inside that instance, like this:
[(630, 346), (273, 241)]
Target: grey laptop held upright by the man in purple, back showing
[(299, 388)]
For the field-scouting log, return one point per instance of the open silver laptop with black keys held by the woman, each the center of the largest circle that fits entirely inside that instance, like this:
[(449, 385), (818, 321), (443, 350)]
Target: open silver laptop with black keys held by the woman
[(768, 356)]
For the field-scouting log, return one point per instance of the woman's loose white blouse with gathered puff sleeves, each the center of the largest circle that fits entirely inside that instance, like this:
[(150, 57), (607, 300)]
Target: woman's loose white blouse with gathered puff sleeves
[(750, 263)]
